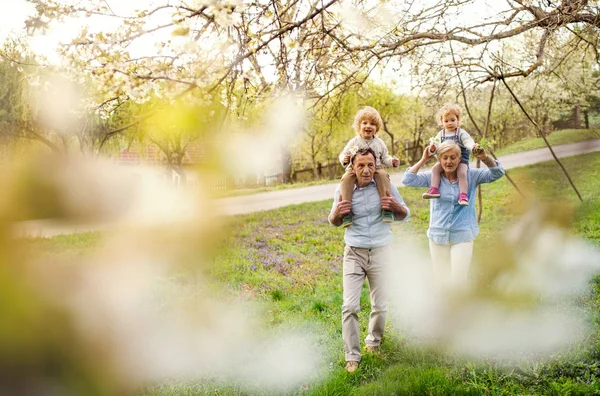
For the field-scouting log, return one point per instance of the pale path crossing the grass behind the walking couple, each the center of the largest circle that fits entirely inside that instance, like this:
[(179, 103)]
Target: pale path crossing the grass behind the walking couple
[(276, 199)]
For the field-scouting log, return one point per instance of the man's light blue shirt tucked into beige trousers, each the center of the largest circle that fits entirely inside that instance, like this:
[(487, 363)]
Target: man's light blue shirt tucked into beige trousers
[(368, 229)]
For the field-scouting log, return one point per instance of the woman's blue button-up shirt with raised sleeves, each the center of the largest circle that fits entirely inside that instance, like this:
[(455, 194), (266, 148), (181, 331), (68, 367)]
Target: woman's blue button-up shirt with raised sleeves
[(449, 222)]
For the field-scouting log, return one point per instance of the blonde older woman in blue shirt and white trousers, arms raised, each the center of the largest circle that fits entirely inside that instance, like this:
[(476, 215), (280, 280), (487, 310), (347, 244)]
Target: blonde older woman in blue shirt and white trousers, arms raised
[(452, 227)]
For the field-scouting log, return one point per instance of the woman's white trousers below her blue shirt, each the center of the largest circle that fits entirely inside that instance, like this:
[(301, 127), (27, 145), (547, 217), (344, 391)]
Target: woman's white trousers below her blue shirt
[(451, 262)]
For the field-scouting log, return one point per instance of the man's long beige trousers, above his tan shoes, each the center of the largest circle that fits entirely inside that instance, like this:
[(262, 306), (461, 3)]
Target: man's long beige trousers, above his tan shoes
[(358, 263)]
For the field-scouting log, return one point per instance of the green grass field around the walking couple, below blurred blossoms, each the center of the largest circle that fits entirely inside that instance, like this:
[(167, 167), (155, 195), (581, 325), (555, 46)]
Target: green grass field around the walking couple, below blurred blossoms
[(289, 261)]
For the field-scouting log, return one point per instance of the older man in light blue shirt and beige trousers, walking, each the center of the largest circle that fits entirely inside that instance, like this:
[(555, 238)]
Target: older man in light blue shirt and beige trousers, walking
[(366, 253)]
